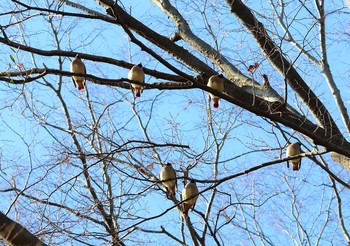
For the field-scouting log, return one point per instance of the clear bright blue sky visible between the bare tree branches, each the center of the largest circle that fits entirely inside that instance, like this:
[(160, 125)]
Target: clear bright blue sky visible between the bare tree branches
[(178, 117)]
